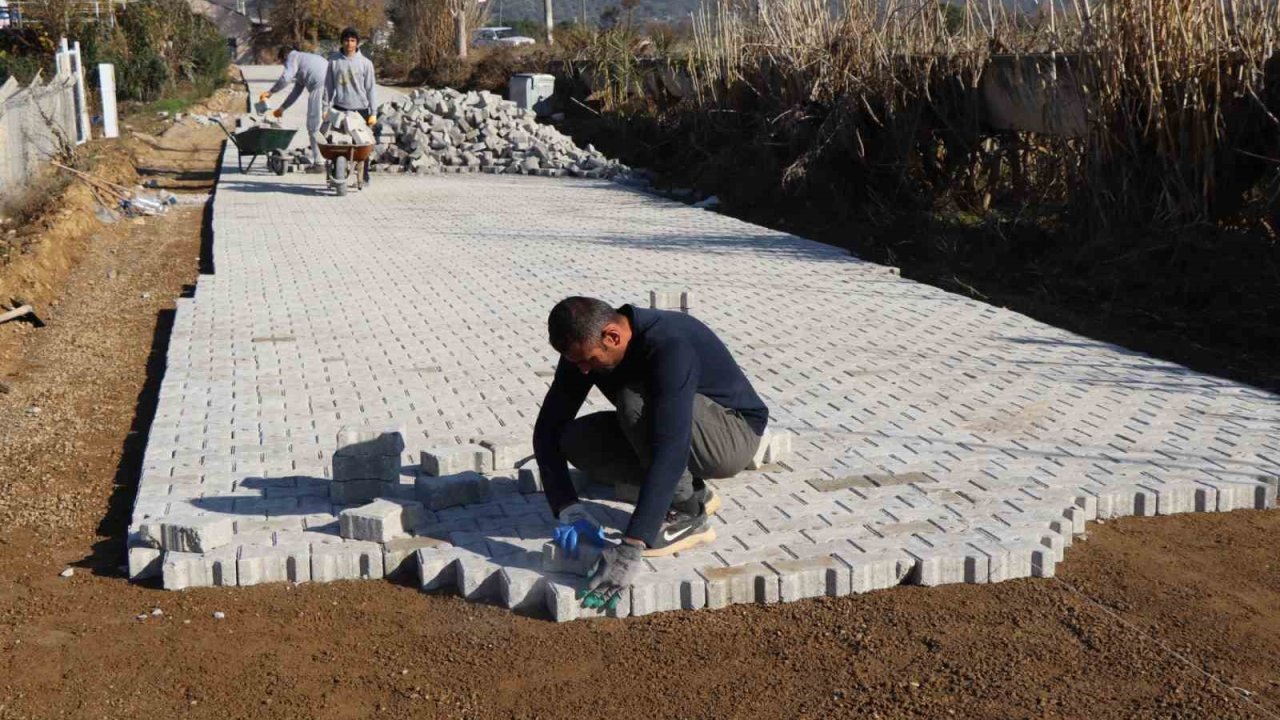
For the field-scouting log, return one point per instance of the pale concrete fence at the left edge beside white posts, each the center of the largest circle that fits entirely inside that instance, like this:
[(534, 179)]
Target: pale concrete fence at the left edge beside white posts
[(28, 139)]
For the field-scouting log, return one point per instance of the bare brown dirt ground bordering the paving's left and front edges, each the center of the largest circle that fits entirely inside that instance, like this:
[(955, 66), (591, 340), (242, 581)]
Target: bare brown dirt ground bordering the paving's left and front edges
[(1172, 599)]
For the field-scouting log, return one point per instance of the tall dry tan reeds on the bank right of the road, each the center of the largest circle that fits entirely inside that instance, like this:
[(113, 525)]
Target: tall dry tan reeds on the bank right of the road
[(1182, 121)]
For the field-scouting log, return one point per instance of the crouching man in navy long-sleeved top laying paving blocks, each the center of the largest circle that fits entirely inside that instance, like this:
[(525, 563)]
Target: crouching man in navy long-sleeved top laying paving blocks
[(684, 413)]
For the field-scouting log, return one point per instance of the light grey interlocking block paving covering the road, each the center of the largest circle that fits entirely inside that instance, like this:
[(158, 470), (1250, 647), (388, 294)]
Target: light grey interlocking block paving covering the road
[(938, 440)]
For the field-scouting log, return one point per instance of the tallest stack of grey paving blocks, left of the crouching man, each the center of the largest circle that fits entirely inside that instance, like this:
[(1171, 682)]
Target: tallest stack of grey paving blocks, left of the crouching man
[(367, 464)]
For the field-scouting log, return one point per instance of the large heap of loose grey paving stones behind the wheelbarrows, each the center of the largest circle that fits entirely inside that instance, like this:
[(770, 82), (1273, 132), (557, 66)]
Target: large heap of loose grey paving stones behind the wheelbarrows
[(436, 131)]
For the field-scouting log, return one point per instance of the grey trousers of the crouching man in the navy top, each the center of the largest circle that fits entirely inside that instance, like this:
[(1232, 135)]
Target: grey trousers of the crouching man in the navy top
[(615, 448)]
